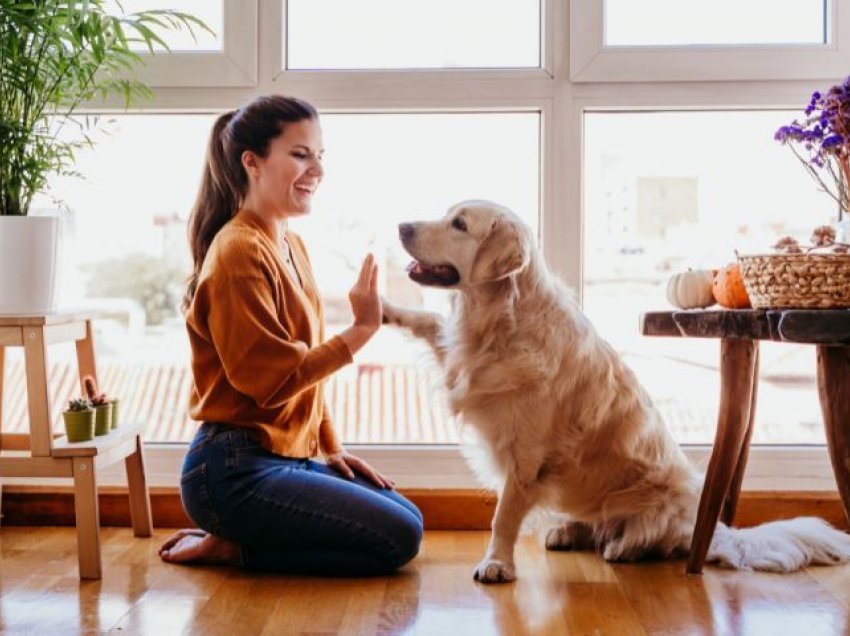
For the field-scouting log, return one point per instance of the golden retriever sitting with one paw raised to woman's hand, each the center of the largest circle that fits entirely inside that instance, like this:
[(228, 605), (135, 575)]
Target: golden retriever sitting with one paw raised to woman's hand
[(564, 423)]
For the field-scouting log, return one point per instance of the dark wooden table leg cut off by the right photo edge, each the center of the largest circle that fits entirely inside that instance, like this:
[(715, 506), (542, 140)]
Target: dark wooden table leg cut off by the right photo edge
[(834, 393)]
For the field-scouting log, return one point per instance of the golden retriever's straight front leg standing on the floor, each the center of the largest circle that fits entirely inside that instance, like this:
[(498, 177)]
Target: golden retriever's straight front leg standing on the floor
[(514, 503)]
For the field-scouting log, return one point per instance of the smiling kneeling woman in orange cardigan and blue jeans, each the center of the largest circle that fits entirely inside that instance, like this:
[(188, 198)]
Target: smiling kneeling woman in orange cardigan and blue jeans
[(259, 360)]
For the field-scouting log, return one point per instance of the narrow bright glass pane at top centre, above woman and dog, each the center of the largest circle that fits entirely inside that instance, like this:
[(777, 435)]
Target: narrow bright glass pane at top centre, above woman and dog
[(371, 34)]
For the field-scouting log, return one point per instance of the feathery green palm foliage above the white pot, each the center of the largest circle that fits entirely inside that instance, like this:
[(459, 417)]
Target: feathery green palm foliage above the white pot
[(54, 56)]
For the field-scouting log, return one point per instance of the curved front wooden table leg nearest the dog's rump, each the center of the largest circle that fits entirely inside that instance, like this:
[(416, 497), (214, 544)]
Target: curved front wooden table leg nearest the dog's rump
[(737, 363)]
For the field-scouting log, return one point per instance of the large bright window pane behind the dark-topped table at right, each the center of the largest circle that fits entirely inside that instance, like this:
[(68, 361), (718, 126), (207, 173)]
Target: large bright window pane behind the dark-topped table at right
[(670, 191)]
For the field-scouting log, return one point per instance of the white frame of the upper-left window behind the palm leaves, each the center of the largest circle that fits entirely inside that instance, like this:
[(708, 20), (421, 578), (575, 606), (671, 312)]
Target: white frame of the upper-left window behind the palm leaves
[(234, 65)]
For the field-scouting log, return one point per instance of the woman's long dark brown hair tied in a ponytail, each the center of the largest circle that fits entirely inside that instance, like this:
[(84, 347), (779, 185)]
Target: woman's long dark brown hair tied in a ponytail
[(224, 182)]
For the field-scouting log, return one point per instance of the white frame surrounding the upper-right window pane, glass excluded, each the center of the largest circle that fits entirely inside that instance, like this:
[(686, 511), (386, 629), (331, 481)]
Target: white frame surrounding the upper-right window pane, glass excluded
[(592, 61)]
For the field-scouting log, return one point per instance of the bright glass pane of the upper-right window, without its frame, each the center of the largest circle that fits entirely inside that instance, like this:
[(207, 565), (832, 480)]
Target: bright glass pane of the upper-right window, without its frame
[(674, 22)]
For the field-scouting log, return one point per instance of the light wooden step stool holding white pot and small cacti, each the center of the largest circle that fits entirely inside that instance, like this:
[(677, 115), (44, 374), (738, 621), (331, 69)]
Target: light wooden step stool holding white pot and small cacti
[(39, 454)]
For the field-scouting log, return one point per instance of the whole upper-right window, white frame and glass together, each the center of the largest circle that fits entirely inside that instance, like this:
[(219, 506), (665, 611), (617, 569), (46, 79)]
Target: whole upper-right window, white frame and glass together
[(664, 40)]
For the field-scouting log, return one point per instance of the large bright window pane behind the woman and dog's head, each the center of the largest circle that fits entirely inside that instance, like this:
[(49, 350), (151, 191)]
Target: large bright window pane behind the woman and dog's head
[(127, 254)]
